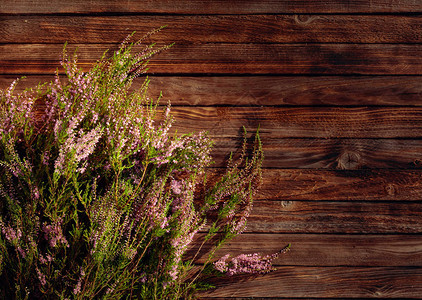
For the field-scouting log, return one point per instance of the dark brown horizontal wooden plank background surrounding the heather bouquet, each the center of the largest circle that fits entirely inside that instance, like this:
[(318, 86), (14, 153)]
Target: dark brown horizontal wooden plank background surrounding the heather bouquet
[(336, 88)]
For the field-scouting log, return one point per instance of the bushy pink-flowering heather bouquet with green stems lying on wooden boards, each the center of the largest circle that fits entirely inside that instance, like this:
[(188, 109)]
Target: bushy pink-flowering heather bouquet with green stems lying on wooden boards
[(101, 199)]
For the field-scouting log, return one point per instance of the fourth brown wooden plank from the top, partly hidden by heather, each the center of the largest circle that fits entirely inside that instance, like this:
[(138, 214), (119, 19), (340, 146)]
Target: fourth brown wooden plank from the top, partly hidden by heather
[(272, 90)]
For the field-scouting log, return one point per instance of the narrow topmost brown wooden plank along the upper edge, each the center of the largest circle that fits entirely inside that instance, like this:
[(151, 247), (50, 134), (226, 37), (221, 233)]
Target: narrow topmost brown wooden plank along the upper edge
[(208, 7)]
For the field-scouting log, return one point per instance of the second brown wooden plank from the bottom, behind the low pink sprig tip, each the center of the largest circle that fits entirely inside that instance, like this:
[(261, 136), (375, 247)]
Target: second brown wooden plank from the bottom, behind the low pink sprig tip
[(324, 250)]
